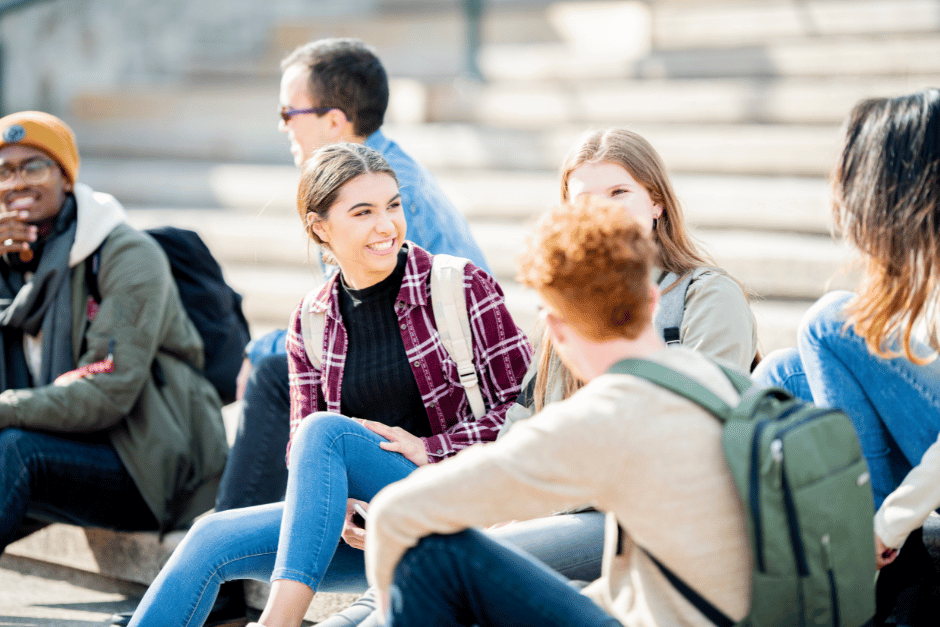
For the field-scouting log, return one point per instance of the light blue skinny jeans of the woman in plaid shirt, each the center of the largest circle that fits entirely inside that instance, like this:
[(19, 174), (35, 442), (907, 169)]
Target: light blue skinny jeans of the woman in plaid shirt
[(332, 458)]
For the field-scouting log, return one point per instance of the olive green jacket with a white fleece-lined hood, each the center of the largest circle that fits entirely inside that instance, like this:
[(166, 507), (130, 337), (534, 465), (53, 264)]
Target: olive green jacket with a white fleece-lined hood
[(162, 416)]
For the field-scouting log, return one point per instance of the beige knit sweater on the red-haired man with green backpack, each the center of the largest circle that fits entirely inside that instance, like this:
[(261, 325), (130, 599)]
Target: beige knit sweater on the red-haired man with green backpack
[(652, 460)]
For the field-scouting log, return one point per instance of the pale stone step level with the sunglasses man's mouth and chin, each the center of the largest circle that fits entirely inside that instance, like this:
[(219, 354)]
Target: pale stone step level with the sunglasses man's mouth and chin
[(778, 149)]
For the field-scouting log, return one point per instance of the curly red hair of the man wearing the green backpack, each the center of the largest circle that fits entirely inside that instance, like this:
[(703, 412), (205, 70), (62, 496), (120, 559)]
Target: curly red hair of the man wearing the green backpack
[(594, 261)]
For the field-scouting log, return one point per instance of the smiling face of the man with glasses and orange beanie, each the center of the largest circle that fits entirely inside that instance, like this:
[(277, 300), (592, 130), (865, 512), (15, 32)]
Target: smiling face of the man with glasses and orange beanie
[(40, 201)]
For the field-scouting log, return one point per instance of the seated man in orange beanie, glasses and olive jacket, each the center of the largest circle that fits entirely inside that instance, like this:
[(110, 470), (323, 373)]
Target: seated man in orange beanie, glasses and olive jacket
[(104, 417)]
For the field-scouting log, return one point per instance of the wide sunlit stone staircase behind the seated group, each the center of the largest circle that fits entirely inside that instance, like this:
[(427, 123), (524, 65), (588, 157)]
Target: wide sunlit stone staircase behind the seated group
[(743, 98)]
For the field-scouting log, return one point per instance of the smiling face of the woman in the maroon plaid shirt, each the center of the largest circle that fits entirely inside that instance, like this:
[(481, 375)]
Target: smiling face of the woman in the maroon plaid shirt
[(364, 229)]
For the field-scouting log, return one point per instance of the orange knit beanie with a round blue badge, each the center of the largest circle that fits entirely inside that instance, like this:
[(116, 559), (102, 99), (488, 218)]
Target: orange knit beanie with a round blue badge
[(45, 132)]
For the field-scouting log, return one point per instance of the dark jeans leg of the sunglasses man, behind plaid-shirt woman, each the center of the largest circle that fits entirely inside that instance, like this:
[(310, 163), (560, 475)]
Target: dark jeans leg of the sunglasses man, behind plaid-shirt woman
[(256, 471)]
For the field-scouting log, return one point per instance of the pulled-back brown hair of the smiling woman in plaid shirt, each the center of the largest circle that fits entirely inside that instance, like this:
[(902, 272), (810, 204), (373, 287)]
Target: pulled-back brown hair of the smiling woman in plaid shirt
[(326, 172)]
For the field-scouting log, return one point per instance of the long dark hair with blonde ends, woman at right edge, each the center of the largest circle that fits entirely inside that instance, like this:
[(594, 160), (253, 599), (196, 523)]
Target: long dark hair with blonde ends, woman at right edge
[(886, 189)]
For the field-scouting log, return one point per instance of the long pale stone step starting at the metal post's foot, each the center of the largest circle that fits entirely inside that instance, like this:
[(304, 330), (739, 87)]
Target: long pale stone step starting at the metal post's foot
[(807, 101)]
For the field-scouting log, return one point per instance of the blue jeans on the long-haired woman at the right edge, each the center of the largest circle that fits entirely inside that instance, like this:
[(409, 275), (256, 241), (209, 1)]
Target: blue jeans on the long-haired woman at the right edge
[(894, 404)]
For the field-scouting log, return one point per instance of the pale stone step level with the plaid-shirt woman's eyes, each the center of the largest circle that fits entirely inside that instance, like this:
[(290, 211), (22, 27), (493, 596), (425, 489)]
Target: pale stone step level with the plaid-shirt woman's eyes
[(258, 192)]
